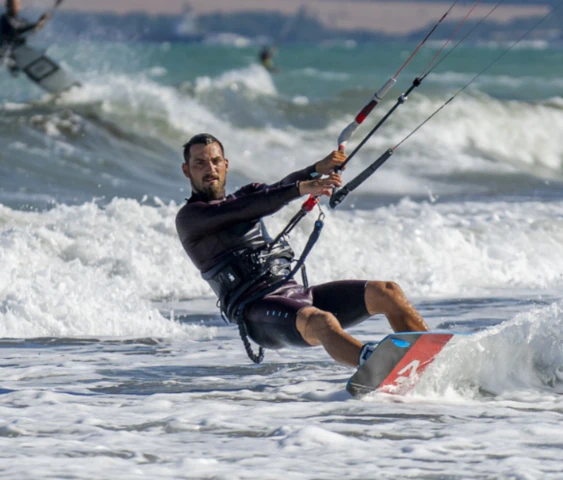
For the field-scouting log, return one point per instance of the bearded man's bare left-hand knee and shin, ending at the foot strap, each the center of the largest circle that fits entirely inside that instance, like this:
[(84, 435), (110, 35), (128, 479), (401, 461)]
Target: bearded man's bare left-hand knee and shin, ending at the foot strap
[(318, 327)]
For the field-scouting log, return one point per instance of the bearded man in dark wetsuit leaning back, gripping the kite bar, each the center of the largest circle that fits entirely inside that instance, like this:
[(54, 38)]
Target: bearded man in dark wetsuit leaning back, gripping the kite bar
[(227, 241)]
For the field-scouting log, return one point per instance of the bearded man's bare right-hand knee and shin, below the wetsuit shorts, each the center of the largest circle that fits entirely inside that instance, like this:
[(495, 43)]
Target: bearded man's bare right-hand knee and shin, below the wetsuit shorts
[(388, 298)]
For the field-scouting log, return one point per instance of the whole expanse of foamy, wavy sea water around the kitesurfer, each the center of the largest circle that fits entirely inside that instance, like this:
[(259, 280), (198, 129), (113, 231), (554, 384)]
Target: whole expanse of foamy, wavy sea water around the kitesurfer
[(114, 362)]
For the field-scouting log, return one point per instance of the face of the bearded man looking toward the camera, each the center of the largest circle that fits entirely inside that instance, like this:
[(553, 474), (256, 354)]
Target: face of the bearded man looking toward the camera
[(207, 170)]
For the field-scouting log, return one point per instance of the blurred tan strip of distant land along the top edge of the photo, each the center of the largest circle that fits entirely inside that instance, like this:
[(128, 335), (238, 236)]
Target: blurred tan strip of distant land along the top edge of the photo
[(386, 17)]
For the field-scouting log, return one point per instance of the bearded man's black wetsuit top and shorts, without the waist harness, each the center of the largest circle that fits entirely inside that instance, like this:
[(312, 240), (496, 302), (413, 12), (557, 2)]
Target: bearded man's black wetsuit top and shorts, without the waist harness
[(210, 231)]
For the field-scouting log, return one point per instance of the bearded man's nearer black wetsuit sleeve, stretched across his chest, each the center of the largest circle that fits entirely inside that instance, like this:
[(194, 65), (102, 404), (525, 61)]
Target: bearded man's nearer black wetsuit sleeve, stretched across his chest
[(199, 218)]
